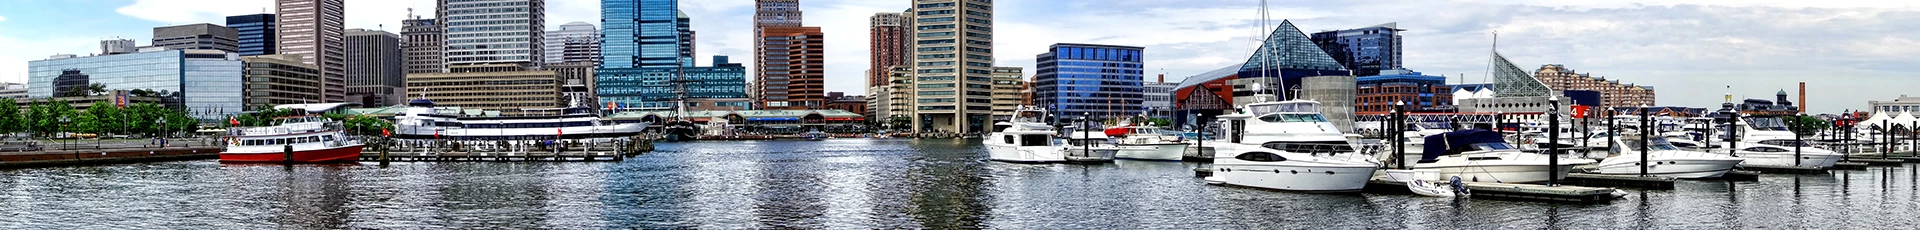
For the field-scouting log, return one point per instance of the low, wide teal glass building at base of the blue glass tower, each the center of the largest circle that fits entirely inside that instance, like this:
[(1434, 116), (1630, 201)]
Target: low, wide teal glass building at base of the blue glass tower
[(661, 87)]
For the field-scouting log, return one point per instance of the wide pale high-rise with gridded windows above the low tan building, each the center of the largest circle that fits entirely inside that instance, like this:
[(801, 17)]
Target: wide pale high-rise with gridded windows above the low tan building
[(494, 32)]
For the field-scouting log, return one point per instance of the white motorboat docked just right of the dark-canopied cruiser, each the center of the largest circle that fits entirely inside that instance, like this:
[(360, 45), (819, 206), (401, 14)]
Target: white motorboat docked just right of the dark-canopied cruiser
[(1664, 160)]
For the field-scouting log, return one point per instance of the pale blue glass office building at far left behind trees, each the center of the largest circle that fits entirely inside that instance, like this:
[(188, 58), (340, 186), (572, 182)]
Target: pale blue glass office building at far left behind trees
[(206, 81)]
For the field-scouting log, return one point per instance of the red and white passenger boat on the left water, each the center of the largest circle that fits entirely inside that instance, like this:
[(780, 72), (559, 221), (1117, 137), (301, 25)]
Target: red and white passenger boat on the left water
[(312, 139)]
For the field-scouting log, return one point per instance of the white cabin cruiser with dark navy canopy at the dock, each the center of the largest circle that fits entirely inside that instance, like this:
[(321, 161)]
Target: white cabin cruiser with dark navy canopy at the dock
[(1481, 156)]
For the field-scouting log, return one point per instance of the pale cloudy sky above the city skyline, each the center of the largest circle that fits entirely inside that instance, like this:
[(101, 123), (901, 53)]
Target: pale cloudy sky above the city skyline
[(1692, 53)]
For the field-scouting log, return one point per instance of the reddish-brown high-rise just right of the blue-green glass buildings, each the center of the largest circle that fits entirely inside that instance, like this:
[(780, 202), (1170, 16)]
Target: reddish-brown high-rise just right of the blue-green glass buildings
[(792, 68)]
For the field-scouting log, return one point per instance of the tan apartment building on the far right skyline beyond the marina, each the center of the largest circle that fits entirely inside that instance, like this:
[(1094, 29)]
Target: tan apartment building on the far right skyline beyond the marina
[(1612, 93)]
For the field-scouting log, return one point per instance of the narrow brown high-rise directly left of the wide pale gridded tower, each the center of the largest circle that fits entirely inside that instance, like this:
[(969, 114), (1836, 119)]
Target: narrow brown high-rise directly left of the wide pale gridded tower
[(423, 47)]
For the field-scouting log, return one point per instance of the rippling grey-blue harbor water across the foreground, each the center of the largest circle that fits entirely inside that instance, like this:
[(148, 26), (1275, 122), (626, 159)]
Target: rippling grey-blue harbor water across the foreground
[(867, 185)]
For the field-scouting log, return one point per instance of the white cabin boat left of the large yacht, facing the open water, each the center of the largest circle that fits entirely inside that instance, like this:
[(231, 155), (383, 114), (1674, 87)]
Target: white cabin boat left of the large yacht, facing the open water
[(1026, 139)]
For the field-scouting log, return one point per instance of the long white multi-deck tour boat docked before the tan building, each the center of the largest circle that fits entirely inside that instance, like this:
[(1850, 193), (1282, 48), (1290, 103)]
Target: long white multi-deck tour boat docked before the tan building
[(421, 122)]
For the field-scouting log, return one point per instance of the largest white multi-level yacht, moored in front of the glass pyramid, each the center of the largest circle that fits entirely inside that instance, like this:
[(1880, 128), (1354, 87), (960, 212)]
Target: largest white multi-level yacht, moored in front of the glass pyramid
[(1287, 147)]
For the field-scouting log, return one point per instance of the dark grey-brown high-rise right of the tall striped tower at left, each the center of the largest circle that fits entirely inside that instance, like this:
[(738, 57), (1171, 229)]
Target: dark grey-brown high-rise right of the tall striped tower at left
[(375, 74)]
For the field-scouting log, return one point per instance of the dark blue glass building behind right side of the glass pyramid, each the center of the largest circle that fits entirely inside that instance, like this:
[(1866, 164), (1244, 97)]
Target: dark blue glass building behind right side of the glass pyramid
[(1366, 51)]
